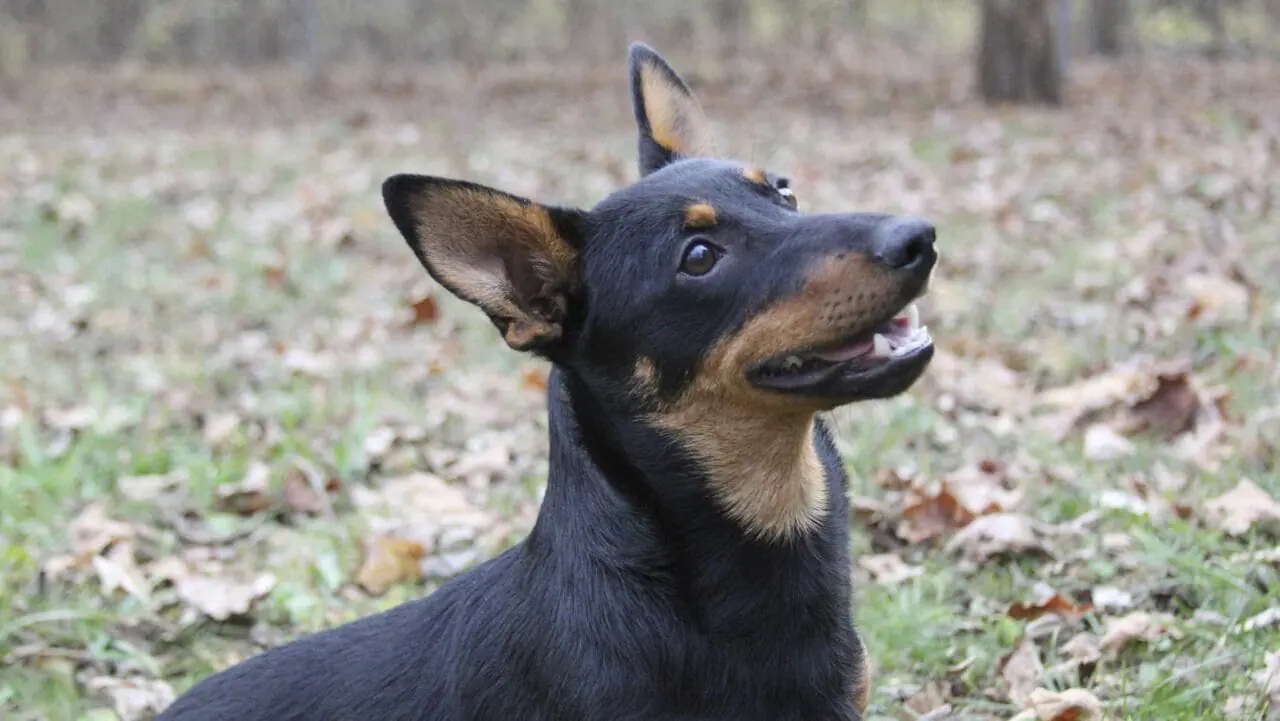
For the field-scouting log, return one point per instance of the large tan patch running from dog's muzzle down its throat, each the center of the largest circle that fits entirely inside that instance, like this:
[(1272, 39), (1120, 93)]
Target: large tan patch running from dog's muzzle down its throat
[(756, 448)]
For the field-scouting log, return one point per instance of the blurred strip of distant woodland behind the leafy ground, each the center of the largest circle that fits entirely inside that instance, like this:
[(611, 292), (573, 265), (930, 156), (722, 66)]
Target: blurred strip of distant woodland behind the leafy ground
[(1014, 42)]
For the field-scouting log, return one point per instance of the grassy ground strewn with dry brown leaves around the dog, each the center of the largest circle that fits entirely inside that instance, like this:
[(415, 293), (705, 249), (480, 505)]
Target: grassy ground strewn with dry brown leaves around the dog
[(235, 410)]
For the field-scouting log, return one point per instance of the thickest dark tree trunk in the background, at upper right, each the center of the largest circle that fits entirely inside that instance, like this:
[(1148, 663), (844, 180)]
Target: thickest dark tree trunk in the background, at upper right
[(1018, 60)]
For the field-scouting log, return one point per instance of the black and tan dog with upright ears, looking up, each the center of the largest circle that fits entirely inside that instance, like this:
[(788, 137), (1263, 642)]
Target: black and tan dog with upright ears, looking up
[(691, 559)]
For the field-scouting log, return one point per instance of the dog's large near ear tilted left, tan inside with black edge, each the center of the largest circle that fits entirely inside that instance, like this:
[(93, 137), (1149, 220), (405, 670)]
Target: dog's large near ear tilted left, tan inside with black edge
[(515, 259)]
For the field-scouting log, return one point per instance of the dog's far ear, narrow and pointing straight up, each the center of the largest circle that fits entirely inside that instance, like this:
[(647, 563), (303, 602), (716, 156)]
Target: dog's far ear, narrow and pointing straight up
[(671, 121)]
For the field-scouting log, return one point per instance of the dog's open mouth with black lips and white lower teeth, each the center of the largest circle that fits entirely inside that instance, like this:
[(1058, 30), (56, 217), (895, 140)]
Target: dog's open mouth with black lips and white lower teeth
[(881, 363)]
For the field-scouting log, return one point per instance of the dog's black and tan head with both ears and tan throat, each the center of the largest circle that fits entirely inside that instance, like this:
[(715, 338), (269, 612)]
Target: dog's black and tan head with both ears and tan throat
[(702, 291)]
